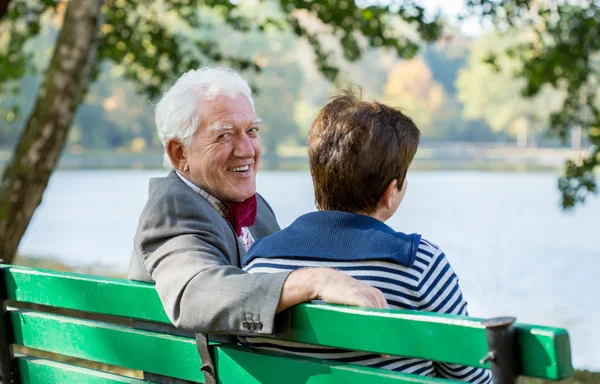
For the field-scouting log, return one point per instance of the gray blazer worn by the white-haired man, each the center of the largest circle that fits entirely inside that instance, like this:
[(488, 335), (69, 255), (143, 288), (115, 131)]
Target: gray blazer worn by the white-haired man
[(193, 256)]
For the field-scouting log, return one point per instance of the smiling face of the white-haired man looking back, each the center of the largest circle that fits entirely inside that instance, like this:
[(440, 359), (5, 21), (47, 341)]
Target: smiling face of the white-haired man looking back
[(225, 152)]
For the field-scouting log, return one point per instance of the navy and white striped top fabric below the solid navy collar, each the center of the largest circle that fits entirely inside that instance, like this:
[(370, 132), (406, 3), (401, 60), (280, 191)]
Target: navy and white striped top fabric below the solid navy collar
[(429, 285)]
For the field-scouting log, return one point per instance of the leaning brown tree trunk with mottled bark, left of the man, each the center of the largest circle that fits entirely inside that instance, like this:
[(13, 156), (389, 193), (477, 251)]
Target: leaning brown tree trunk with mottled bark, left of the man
[(65, 82)]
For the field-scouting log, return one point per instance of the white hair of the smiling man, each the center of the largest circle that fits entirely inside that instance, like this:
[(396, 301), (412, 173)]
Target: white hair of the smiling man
[(179, 112)]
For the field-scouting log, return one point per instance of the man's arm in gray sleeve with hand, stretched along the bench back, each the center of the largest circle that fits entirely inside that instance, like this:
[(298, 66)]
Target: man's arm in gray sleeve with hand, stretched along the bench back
[(202, 292)]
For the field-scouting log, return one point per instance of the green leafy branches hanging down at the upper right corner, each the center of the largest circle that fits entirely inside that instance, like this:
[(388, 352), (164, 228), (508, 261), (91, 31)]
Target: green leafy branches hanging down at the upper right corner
[(566, 55)]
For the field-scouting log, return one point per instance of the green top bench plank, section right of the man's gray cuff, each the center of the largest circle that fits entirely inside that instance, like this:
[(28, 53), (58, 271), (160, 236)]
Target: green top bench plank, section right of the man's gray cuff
[(545, 351)]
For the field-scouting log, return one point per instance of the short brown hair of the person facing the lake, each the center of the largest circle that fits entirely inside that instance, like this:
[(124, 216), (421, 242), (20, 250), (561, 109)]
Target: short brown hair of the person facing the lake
[(355, 149)]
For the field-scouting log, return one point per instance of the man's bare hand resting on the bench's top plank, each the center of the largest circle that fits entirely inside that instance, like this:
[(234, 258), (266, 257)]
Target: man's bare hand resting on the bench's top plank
[(329, 285)]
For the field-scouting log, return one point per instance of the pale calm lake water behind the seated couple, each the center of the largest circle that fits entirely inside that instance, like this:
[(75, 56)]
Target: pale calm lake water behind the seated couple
[(513, 249)]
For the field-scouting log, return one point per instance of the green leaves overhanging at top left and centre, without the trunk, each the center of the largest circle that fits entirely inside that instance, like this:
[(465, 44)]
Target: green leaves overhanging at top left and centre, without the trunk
[(139, 34)]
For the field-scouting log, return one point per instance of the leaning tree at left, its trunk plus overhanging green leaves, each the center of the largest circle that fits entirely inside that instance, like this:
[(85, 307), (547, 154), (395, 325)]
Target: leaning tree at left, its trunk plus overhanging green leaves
[(145, 38)]
